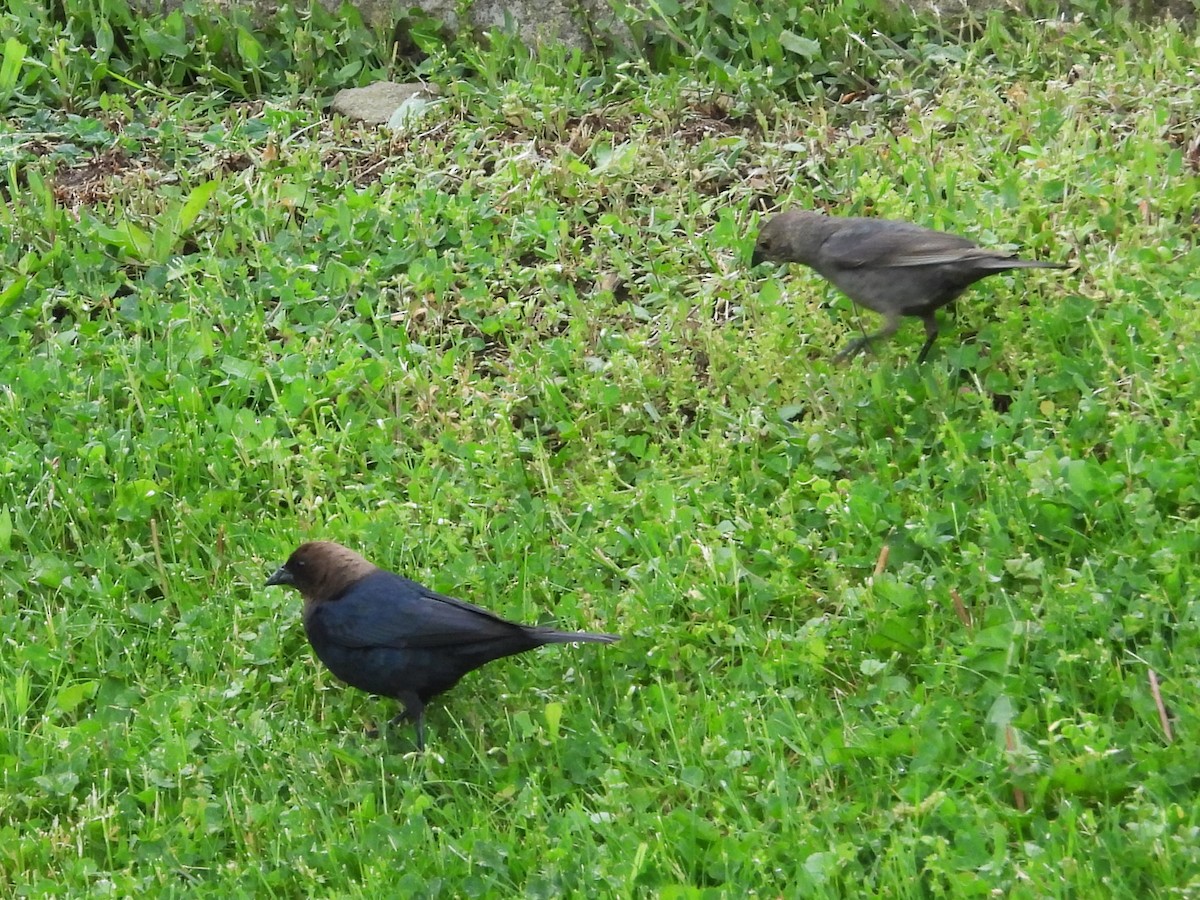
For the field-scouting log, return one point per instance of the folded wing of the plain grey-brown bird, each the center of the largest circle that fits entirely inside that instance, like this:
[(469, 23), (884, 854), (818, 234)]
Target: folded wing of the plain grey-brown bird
[(886, 244)]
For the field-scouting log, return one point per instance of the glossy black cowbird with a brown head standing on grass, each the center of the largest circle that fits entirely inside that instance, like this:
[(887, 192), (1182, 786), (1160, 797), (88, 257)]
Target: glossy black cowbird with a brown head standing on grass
[(387, 635)]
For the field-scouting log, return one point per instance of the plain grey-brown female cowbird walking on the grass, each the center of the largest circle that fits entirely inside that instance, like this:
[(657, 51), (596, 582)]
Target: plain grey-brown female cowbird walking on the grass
[(895, 268)]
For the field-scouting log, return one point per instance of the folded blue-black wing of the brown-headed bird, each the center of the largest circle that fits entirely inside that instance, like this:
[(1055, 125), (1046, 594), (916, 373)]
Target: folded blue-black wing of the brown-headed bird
[(387, 610)]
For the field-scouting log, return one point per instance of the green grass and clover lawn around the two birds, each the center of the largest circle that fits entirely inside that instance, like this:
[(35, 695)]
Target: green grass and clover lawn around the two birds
[(518, 355)]
